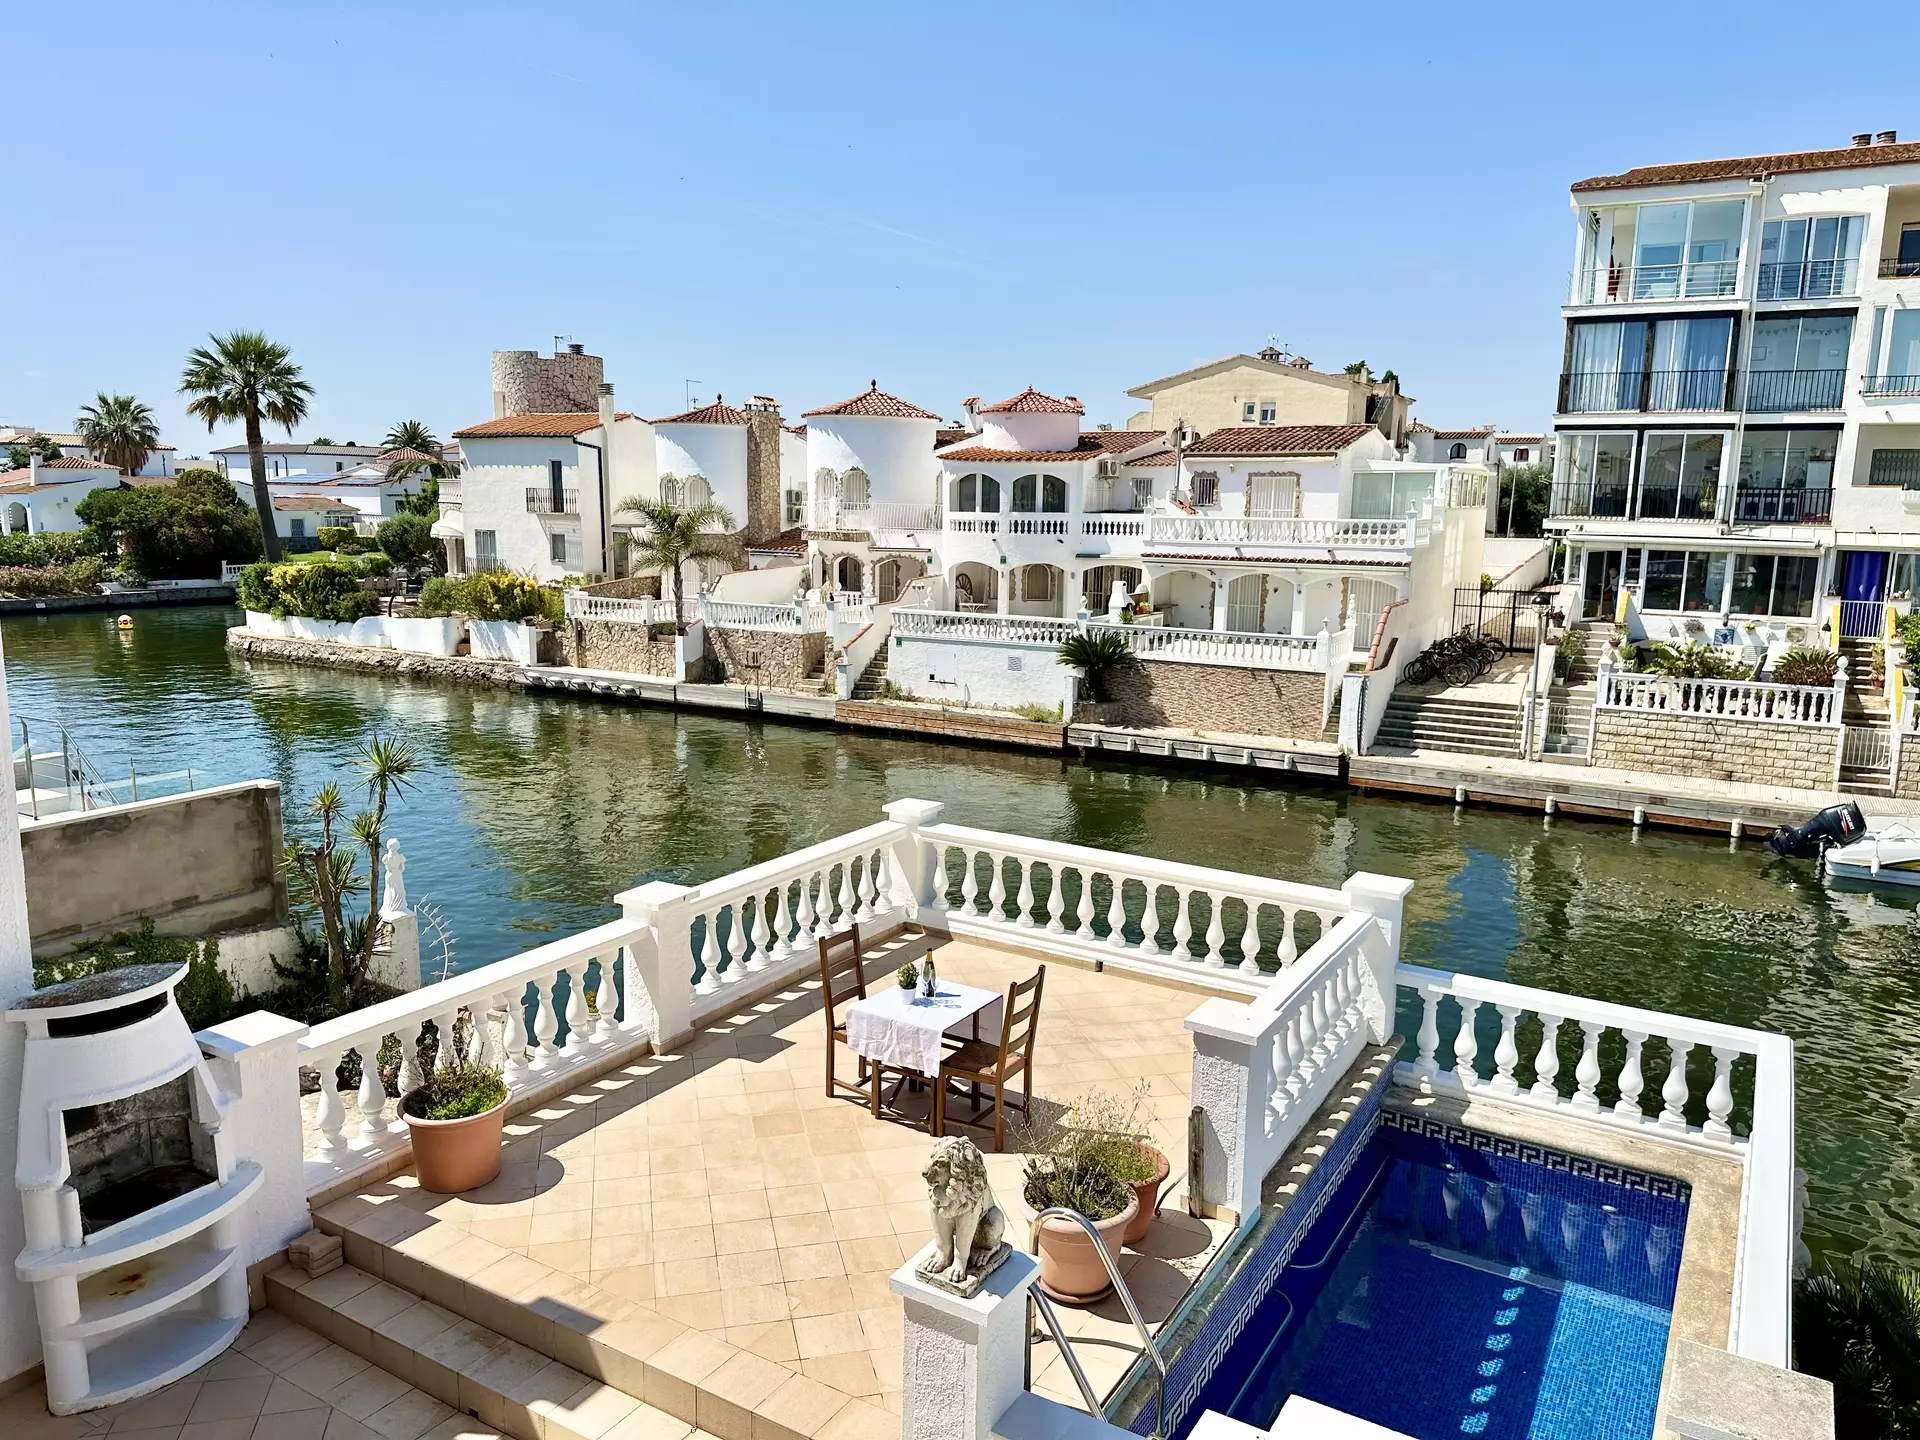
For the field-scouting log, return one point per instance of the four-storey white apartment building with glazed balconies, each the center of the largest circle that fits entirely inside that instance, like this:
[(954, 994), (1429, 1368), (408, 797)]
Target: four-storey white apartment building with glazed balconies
[(1739, 408)]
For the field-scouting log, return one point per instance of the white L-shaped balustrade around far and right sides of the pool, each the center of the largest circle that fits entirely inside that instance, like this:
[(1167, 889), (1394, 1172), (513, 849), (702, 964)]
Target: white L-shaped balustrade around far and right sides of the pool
[(1769, 1228)]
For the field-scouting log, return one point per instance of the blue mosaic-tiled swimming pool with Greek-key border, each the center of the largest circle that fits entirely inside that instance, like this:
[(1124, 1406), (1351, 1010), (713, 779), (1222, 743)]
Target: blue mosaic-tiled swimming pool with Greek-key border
[(1462, 1284)]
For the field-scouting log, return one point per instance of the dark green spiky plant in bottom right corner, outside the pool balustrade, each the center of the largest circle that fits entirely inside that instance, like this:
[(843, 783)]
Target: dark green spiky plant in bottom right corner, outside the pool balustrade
[(1858, 1326)]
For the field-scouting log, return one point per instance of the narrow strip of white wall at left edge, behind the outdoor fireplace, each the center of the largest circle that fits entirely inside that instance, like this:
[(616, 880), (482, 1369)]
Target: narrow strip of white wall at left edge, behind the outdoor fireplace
[(20, 1330)]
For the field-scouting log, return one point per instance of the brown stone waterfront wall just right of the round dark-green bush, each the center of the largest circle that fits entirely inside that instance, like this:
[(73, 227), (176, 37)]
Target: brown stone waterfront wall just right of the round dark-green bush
[(1218, 698)]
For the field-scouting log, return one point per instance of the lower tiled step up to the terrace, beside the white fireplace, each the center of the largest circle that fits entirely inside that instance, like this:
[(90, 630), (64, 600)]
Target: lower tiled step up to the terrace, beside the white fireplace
[(477, 1372)]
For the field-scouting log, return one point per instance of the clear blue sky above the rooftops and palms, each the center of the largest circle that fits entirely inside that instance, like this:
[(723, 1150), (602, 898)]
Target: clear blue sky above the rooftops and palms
[(796, 199)]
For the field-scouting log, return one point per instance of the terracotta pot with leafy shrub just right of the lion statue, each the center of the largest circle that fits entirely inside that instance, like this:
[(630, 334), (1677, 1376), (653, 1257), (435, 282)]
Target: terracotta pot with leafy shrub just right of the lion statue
[(1070, 1164)]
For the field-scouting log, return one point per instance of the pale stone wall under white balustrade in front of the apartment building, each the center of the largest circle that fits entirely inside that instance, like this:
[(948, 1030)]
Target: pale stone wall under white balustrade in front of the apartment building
[(1750, 752)]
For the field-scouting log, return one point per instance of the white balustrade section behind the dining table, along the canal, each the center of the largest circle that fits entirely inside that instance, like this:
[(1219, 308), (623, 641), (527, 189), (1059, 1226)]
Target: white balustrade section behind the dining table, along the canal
[(1237, 928)]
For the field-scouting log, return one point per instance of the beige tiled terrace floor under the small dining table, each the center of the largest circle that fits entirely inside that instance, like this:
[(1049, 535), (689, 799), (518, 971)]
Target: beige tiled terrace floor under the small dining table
[(721, 1191)]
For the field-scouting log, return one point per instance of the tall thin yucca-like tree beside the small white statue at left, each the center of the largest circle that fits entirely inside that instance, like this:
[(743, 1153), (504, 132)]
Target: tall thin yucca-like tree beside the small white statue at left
[(327, 873)]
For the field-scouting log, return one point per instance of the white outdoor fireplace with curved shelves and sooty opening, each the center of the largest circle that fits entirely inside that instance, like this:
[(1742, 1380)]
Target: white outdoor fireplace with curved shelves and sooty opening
[(130, 1188)]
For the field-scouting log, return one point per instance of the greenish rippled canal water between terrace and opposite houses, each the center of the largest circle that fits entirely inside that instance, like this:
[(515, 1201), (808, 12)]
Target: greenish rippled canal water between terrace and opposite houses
[(533, 813)]
